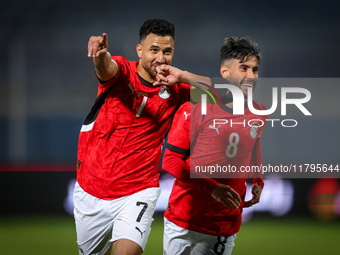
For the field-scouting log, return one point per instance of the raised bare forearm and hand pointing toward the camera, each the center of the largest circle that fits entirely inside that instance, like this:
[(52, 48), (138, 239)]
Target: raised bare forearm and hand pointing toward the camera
[(106, 68)]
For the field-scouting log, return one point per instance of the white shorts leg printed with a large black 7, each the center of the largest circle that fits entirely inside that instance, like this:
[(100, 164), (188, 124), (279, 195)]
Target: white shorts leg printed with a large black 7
[(134, 220)]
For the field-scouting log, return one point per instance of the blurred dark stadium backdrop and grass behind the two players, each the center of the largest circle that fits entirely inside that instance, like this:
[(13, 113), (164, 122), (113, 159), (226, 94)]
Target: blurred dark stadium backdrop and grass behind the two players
[(47, 86)]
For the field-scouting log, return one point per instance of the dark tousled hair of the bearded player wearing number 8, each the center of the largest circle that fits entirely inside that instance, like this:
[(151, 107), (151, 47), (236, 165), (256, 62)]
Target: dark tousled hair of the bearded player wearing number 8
[(240, 48)]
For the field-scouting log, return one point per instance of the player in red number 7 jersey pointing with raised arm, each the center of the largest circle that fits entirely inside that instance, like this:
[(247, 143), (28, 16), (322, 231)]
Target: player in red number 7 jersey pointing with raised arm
[(120, 143)]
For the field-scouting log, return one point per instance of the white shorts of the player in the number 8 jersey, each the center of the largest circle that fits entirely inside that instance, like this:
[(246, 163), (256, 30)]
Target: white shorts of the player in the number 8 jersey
[(181, 241)]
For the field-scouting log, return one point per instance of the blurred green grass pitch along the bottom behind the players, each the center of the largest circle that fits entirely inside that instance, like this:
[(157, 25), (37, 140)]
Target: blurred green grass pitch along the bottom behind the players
[(266, 236)]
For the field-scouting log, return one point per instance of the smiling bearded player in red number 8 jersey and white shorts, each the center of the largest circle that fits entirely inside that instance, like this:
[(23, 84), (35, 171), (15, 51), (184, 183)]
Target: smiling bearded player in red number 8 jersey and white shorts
[(204, 214)]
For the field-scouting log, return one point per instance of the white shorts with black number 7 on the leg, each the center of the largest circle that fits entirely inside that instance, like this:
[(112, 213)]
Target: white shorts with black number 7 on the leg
[(101, 222)]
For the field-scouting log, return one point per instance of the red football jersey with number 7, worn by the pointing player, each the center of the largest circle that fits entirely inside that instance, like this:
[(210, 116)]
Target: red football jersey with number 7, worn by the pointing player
[(120, 141)]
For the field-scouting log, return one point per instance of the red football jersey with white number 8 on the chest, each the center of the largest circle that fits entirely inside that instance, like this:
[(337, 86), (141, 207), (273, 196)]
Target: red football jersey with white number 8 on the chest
[(192, 207)]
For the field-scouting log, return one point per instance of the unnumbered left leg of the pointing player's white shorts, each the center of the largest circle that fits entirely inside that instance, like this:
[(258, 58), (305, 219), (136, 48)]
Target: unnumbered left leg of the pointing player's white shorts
[(93, 222)]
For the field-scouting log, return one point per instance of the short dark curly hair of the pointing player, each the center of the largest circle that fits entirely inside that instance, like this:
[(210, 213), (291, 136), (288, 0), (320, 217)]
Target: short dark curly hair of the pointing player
[(159, 27)]
